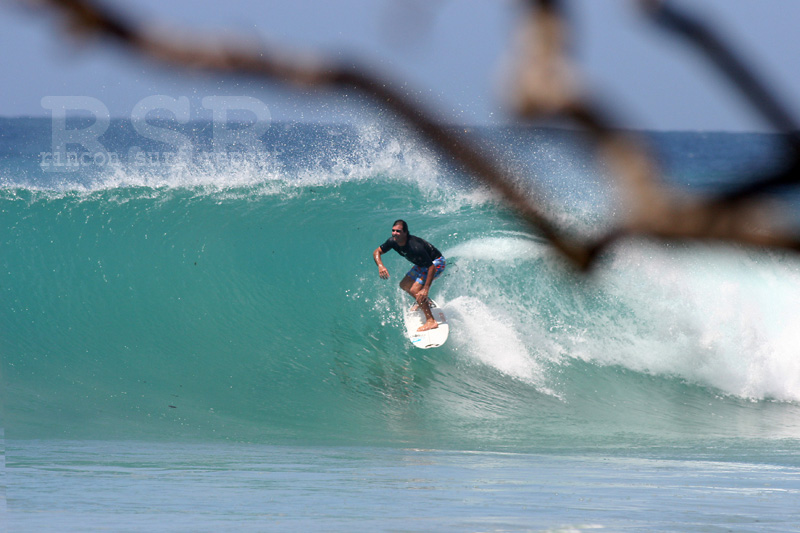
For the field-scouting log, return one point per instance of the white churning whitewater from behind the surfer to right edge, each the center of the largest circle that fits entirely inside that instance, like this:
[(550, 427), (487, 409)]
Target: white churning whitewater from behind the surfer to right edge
[(716, 317)]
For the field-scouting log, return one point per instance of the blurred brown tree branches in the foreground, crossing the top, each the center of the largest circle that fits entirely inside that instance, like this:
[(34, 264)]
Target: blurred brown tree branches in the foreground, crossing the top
[(543, 86)]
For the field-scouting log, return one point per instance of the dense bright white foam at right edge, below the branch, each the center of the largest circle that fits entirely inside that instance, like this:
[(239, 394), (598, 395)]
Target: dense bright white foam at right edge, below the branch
[(714, 317)]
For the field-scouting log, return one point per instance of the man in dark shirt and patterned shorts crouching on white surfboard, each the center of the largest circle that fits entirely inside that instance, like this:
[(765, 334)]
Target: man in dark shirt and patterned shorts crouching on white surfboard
[(428, 265)]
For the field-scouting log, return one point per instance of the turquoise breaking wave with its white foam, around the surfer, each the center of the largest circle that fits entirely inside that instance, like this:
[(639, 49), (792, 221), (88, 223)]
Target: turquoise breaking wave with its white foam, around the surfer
[(242, 303)]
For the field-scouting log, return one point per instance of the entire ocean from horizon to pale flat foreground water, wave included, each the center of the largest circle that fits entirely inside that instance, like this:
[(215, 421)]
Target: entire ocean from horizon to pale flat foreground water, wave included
[(199, 341)]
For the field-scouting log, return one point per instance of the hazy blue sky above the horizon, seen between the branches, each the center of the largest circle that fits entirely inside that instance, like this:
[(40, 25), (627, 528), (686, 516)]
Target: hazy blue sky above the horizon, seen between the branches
[(448, 53)]
